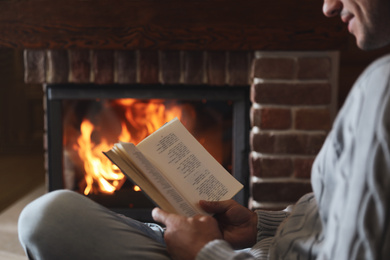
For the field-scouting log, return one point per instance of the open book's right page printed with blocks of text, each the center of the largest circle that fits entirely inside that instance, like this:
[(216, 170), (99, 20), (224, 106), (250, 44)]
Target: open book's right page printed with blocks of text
[(188, 165)]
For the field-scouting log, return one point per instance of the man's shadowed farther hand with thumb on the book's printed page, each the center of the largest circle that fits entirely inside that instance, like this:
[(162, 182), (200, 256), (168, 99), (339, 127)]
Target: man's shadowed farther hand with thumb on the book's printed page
[(237, 223)]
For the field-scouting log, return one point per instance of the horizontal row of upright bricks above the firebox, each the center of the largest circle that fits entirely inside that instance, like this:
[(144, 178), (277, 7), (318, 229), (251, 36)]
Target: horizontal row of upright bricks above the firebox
[(144, 67)]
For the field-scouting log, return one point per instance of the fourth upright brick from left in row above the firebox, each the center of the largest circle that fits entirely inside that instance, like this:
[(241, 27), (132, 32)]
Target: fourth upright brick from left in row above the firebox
[(103, 66)]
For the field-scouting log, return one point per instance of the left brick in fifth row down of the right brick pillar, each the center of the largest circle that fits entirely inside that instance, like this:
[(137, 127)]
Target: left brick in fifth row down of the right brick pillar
[(270, 167)]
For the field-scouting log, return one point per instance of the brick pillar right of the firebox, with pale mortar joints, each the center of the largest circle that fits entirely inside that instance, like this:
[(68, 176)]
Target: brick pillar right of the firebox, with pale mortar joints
[(293, 98)]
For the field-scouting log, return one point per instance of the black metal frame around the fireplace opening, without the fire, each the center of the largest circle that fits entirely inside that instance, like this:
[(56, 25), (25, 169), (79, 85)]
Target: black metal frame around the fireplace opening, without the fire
[(56, 93)]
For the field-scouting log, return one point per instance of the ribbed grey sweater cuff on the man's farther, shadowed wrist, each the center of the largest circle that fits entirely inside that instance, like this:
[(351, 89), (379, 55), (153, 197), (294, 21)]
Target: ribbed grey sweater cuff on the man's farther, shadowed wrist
[(268, 222)]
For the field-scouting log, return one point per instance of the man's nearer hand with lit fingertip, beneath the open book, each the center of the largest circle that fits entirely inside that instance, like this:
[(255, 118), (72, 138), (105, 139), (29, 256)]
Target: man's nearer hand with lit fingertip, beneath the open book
[(185, 237)]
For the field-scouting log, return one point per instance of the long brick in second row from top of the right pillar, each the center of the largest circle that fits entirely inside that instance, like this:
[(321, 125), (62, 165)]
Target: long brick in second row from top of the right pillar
[(291, 94)]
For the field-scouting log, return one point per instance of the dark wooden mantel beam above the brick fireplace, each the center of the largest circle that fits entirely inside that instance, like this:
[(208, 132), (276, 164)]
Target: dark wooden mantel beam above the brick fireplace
[(169, 24)]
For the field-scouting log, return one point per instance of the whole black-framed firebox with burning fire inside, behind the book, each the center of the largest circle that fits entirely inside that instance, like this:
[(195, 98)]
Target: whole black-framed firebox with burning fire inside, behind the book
[(85, 119)]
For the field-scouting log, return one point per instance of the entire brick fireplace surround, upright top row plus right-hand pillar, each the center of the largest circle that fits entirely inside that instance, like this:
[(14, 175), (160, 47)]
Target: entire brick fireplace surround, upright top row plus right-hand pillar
[(293, 98)]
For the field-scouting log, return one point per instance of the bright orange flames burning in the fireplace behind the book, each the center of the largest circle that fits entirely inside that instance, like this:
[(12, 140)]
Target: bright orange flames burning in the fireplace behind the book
[(140, 119)]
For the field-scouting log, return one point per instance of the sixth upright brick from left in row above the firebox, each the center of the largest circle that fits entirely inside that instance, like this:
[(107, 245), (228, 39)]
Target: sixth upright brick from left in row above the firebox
[(149, 67)]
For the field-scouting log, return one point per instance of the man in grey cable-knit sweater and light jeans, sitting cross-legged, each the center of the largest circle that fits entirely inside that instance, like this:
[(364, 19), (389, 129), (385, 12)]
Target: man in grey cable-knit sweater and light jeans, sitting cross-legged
[(347, 216)]
